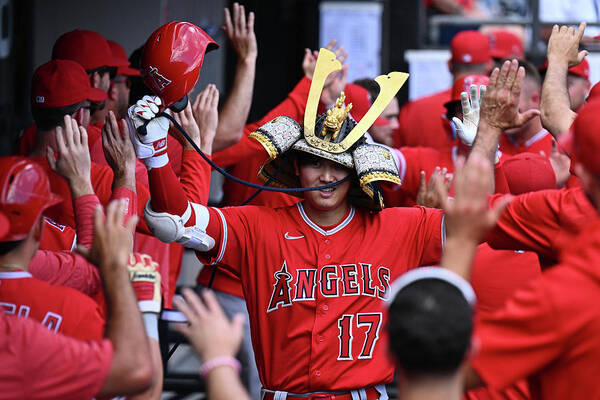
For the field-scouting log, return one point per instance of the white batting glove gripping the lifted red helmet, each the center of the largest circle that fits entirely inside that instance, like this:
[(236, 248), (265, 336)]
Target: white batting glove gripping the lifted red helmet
[(151, 146)]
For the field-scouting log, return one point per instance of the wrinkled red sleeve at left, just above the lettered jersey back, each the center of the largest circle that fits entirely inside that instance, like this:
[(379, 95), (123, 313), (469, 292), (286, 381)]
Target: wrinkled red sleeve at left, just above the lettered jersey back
[(66, 269)]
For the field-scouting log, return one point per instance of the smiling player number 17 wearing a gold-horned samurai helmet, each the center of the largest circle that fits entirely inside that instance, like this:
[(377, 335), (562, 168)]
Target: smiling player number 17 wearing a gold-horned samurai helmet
[(314, 274)]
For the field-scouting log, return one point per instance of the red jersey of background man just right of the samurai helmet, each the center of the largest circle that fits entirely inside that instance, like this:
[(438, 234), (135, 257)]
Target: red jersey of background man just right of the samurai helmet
[(423, 123)]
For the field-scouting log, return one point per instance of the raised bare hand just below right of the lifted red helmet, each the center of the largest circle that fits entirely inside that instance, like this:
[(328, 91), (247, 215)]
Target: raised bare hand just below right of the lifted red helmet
[(206, 113)]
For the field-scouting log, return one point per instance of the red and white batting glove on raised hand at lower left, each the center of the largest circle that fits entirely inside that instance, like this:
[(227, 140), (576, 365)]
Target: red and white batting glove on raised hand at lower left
[(145, 279)]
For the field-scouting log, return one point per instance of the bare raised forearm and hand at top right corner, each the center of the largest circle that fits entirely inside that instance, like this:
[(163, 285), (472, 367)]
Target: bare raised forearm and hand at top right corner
[(563, 52)]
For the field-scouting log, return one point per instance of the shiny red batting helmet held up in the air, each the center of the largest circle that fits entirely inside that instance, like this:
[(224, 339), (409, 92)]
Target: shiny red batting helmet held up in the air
[(172, 60)]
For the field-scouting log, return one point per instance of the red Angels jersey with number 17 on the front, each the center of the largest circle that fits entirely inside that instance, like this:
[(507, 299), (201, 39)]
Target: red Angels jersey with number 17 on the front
[(314, 294)]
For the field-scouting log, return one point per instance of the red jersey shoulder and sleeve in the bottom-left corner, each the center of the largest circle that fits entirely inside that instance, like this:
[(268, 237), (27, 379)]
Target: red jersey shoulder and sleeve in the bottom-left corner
[(38, 364)]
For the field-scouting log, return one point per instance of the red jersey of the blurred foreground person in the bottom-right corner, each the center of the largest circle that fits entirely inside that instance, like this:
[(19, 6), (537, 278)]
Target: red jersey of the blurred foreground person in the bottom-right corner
[(549, 330)]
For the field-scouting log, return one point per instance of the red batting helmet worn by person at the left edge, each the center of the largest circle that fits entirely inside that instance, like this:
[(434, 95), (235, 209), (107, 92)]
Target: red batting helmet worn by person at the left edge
[(24, 194)]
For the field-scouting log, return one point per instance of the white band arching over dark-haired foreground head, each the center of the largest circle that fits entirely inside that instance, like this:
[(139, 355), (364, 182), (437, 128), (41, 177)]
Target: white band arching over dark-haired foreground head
[(432, 273)]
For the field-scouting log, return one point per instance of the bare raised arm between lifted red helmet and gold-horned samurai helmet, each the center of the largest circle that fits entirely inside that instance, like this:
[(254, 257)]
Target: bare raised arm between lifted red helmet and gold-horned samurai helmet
[(234, 114)]
